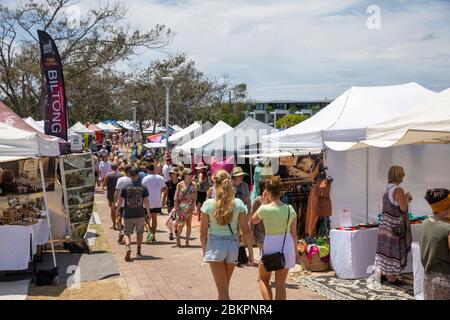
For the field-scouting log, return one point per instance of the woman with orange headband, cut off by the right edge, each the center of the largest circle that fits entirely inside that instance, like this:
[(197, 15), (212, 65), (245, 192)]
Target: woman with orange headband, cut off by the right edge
[(435, 246)]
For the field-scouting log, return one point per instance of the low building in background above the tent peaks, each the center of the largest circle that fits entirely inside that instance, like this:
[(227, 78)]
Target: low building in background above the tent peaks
[(271, 111)]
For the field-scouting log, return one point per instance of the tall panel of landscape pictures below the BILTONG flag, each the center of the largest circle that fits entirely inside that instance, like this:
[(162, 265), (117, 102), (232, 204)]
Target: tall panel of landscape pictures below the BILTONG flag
[(79, 189)]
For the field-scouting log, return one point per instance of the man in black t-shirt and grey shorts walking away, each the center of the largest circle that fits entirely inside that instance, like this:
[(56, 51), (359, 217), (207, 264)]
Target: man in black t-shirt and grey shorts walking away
[(134, 197)]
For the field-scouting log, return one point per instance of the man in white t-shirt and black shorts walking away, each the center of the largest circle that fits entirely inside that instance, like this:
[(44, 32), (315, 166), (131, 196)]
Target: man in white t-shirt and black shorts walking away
[(155, 185)]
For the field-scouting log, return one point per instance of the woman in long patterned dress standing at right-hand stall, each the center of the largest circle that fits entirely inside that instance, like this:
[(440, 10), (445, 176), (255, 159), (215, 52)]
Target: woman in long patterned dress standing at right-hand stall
[(394, 233)]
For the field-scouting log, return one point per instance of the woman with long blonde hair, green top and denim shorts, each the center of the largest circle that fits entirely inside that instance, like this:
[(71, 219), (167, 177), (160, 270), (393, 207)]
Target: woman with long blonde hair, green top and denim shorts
[(219, 232)]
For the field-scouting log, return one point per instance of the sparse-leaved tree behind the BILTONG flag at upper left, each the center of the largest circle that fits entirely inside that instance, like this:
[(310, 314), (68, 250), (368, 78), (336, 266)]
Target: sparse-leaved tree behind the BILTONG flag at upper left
[(89, 48)]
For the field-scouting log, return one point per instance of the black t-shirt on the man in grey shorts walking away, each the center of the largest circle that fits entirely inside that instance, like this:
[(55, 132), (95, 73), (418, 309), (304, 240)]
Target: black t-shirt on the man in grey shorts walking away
[(134, 195)]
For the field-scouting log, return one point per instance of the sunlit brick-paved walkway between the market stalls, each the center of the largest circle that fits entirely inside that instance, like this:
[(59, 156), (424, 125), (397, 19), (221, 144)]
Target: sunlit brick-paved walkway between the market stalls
[(168, 272)]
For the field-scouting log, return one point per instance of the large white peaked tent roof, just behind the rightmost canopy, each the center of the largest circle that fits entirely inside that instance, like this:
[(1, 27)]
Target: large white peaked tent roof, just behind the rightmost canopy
[(347, 118)]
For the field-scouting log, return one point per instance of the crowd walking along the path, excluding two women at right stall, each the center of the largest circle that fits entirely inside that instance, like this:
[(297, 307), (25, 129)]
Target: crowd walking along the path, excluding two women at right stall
[(231, 226)]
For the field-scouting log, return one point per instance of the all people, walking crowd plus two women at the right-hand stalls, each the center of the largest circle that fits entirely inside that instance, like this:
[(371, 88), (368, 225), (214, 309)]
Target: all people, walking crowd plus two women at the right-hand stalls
[(139, 187)]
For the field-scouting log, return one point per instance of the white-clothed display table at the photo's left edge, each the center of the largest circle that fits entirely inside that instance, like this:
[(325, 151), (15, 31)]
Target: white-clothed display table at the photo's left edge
[(19, 243)]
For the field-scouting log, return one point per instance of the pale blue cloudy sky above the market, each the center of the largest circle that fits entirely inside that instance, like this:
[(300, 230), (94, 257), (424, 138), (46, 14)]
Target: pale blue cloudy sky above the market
[(303, 49)]
